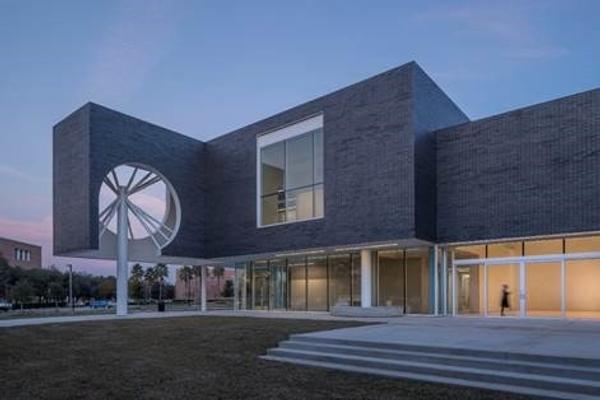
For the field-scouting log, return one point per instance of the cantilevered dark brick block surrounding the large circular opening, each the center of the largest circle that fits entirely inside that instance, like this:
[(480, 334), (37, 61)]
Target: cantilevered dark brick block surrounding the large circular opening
[(95, 139)]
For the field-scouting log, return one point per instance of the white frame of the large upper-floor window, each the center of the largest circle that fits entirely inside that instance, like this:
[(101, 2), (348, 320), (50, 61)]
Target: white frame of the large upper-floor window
[(279, 135)]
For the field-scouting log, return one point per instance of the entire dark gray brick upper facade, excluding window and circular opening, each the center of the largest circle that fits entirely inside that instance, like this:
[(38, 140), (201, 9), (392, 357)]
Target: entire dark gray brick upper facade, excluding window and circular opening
[(401, 162)]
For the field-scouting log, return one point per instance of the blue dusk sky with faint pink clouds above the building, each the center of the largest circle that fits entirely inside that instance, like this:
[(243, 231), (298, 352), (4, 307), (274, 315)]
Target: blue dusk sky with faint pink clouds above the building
[(204, 68)]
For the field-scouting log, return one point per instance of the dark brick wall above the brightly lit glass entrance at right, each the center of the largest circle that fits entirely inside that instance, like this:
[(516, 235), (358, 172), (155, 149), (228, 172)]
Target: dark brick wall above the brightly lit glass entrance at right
[(533, 171)]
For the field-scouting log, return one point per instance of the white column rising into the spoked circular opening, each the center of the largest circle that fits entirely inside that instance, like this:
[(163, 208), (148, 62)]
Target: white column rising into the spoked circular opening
[(122, 244)]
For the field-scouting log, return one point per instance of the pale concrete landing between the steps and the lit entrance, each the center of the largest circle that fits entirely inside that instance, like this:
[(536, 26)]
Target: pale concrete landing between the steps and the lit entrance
[(570, 338)]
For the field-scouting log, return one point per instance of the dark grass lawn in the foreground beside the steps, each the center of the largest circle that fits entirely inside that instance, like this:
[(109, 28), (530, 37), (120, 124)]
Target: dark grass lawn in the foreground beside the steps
[(184, 358)]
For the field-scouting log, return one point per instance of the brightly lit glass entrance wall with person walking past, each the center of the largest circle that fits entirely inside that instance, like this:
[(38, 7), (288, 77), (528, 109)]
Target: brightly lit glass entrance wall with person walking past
[(556, 277)]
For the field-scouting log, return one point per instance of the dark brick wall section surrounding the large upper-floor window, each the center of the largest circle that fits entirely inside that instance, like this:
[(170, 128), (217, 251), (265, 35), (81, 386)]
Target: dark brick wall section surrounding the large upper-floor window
[(368, 173)]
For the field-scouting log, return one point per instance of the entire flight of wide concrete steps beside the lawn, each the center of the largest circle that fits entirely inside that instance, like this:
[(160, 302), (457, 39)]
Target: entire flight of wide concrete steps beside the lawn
[(545, 376)]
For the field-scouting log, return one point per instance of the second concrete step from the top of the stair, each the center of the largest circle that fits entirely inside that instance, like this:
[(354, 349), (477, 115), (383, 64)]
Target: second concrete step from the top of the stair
[(494, 364)]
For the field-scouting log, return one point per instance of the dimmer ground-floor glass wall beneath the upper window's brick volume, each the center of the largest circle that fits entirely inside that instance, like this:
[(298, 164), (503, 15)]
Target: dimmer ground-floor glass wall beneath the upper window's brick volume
[(319, 283)]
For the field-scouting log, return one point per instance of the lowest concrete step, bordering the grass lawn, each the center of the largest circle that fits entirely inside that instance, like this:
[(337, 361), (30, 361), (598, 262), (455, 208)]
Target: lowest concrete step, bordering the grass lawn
[(541, 393)]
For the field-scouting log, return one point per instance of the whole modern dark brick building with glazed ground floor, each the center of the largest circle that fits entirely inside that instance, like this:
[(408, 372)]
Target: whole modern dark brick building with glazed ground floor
[(381, 195)]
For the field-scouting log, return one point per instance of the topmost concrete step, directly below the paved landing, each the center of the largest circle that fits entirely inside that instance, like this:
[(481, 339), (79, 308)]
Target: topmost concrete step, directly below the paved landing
[(456, 351)]
